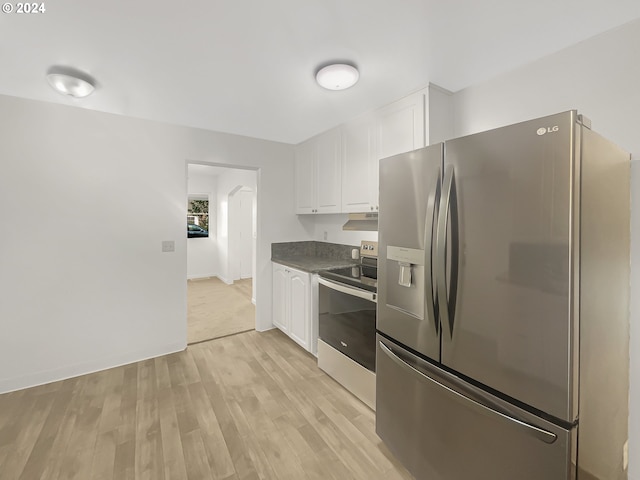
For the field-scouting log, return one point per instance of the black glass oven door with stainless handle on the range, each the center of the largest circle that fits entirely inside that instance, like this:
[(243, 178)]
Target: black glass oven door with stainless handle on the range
[(347, 321)]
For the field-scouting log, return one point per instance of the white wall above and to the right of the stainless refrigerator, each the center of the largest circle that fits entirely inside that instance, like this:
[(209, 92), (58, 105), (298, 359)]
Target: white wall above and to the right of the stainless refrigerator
[(599, 77)]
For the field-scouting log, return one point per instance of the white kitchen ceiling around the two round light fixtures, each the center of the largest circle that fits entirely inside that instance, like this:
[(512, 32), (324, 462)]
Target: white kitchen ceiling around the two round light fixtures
[(247, 66)]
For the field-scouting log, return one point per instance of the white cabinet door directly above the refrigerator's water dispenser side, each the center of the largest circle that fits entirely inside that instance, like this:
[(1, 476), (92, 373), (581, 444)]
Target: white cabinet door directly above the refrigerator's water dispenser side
[(400, 126)]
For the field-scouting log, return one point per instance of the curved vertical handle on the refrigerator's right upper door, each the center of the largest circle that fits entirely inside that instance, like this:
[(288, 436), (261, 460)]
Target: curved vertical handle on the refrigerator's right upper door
[(448, 209)]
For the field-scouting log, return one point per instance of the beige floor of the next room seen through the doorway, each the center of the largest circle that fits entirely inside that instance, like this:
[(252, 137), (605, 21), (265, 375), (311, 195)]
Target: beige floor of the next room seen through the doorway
[(215, 309)]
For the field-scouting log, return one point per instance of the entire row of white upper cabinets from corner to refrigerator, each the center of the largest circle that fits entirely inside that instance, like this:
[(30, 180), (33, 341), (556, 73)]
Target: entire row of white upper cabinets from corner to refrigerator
[(337, 171)]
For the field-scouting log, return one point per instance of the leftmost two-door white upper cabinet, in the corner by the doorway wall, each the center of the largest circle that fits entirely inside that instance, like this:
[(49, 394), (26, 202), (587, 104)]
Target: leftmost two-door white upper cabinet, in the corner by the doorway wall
[(318, 174)]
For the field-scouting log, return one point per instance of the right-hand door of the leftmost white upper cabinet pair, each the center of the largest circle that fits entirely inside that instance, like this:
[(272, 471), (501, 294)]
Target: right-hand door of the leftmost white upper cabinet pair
[(329, 172)]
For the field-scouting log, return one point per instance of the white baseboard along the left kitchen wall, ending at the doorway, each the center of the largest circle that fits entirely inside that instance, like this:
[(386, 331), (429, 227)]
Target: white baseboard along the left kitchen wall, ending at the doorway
[(41, 378)]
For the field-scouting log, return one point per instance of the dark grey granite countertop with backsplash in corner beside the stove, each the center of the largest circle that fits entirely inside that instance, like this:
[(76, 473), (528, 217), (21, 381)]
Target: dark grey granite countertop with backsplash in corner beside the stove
[(312, 256)]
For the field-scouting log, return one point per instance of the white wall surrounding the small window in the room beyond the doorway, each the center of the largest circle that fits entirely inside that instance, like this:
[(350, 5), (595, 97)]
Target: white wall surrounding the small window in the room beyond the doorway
[(202, 255)]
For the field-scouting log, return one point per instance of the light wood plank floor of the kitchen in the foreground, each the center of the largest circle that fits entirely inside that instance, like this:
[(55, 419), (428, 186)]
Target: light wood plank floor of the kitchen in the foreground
[(244, 407)]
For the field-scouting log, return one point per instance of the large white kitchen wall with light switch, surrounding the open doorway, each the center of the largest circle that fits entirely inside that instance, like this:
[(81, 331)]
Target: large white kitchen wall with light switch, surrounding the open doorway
[(87, 287)]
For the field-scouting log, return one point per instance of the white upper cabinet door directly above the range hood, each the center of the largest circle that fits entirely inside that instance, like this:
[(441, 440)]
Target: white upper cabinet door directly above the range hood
[(357, 168)]
